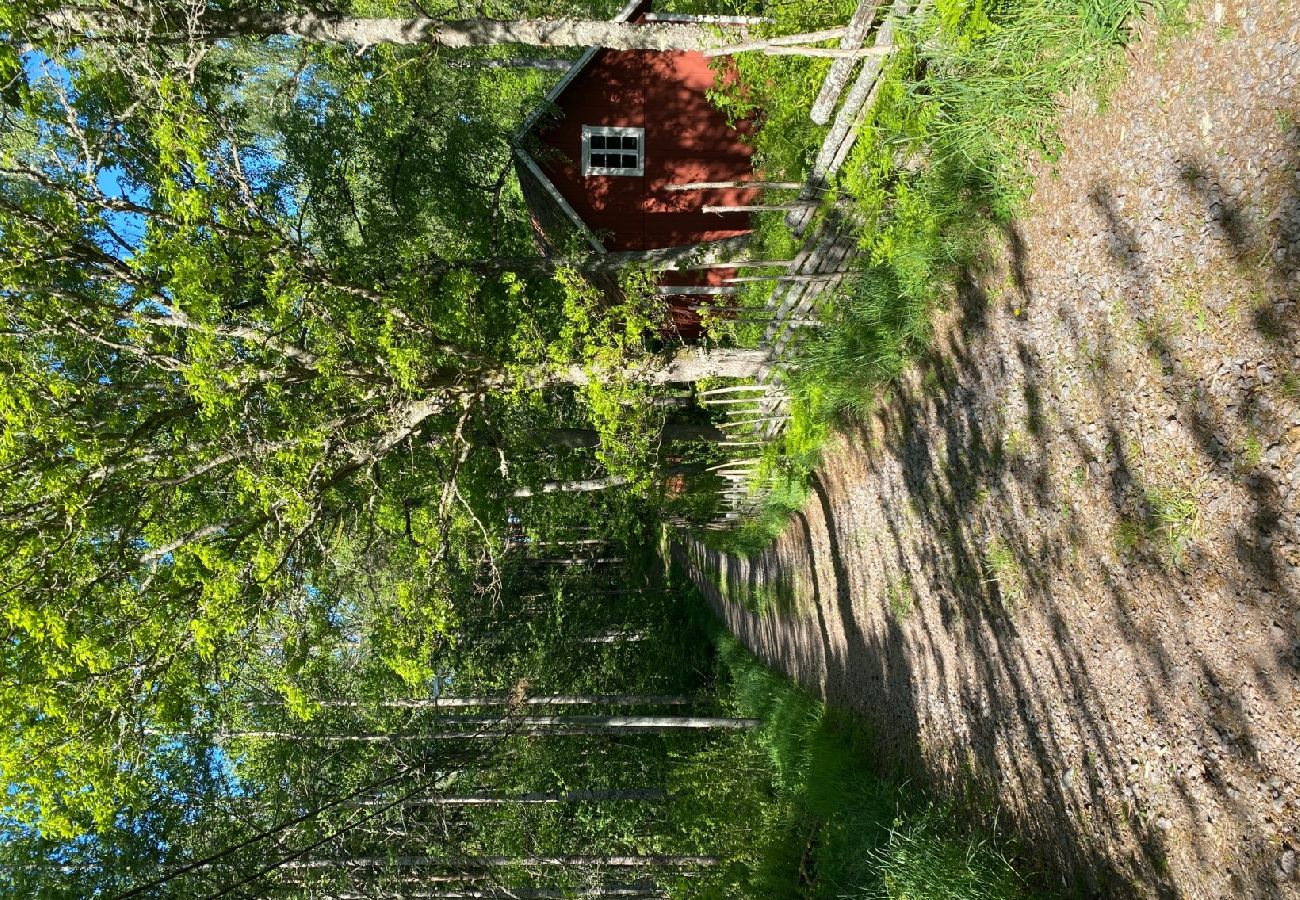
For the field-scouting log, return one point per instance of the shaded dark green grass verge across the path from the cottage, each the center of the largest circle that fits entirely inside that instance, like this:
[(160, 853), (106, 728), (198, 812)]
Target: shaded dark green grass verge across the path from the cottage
[(831, 825)]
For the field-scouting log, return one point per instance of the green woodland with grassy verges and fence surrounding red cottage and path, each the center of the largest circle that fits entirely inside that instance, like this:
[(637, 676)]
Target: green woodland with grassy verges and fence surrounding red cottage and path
[(343, 517)]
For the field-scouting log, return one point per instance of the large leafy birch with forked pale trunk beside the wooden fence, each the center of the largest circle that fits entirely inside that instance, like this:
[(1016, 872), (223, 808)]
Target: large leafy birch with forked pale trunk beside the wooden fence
[(227, 416)]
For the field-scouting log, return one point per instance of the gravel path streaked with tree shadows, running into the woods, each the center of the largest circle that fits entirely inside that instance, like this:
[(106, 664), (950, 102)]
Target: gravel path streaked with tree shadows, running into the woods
[(1061, 569)]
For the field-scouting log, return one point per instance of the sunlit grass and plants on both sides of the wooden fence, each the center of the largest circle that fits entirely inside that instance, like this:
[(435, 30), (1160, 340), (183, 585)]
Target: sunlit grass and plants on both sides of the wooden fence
[(942, 166)]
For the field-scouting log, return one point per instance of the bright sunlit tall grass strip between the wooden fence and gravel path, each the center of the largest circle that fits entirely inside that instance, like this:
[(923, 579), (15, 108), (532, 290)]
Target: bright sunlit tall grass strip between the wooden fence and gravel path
[(946, 163)]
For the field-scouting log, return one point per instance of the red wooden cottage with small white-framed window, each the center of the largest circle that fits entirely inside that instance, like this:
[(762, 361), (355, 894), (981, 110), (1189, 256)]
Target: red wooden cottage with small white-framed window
[(608, 157)]
